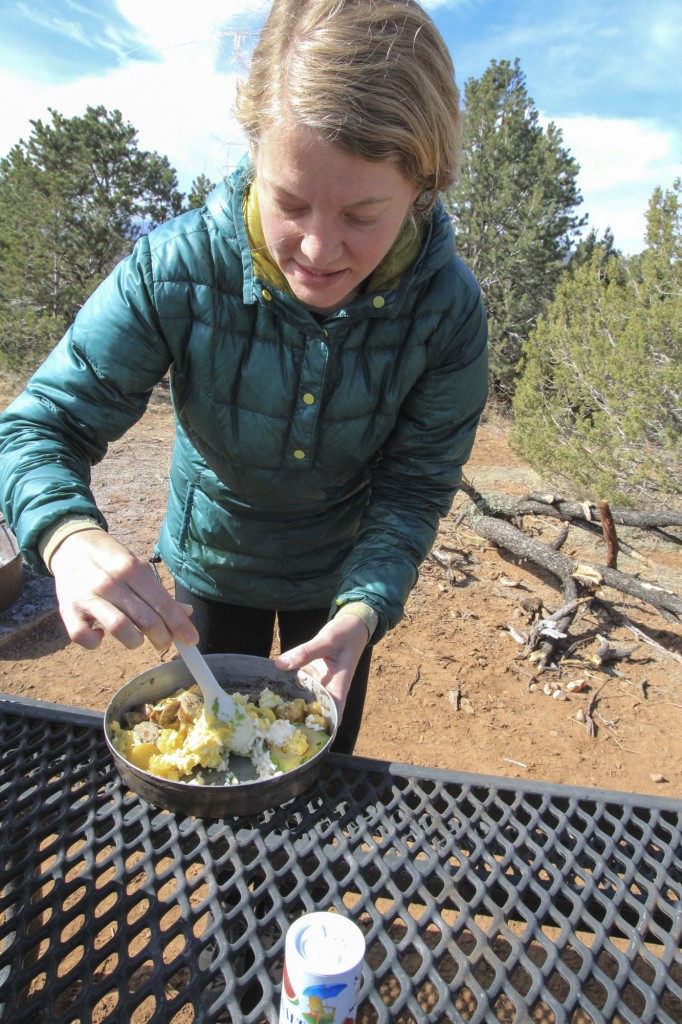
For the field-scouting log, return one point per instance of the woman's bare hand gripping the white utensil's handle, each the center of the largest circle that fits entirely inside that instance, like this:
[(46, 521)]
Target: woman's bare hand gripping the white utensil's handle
[(103, 587)]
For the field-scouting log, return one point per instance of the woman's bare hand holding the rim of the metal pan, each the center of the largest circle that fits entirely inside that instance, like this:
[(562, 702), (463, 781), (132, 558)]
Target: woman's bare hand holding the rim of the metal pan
[(331, 657)]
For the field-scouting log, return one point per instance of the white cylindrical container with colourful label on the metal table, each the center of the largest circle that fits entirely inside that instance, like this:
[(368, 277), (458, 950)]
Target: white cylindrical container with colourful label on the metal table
[(324, 955)]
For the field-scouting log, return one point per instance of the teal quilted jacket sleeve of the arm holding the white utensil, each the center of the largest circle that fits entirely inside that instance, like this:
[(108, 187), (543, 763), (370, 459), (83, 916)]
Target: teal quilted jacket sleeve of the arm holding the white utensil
[(92, 389)]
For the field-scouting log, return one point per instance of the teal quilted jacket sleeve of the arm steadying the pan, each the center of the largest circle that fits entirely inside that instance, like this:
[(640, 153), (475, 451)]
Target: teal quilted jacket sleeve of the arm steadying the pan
[(420, 472)]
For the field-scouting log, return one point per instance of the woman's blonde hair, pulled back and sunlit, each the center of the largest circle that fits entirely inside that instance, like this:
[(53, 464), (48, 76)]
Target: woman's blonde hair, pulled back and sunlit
[(373, 76)]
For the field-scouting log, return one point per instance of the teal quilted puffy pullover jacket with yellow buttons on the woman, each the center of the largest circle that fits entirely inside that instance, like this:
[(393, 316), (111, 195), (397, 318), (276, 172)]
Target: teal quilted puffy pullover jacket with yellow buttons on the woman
[(313, 460)]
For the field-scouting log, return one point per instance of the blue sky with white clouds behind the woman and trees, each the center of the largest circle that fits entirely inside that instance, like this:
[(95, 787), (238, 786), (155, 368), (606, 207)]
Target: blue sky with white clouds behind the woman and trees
[(608, 73)]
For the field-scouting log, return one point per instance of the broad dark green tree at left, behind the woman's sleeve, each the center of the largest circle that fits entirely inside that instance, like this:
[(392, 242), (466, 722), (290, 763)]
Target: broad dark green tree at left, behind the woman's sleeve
[(74, 198)]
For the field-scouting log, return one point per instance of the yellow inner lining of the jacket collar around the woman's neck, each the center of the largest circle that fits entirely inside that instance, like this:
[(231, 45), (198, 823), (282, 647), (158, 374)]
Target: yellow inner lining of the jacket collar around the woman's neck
[(386, 277)]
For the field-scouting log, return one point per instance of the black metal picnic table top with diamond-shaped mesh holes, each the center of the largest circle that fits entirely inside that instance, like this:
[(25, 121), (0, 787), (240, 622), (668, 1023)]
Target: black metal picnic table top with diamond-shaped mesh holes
[(482, 900)]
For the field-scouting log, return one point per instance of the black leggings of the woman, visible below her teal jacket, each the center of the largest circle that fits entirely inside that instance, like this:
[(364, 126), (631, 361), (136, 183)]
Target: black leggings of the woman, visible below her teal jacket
[(230, 629)]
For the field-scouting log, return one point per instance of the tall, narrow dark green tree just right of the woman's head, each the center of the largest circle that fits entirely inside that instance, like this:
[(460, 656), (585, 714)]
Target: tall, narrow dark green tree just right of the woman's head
[(514, 209)]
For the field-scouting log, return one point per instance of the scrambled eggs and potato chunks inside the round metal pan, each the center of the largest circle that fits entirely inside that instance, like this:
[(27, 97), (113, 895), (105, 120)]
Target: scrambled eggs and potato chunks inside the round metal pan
[(179, 737)]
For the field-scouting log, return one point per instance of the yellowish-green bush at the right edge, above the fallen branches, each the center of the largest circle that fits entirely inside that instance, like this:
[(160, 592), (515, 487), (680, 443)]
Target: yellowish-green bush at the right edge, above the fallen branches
[(600, 400)]
